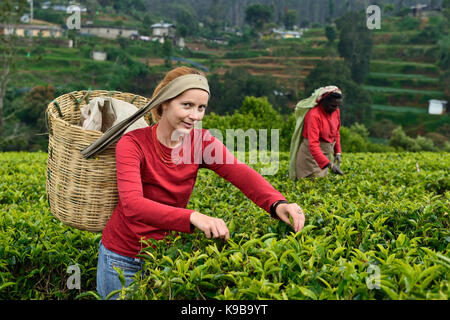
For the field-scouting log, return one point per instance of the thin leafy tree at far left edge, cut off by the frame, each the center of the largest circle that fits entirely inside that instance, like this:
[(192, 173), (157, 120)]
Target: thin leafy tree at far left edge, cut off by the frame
[(10, 13)]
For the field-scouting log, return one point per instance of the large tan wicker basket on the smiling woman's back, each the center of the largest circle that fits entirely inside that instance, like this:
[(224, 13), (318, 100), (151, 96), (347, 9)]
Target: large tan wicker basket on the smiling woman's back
[(81, 192)]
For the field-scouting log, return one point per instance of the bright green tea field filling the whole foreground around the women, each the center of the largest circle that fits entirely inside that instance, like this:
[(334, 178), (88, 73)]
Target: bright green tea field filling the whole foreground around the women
[(379, 232)]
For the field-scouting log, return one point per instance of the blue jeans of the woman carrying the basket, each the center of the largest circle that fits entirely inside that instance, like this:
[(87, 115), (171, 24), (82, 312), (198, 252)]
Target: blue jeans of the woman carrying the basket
[(107, 277)]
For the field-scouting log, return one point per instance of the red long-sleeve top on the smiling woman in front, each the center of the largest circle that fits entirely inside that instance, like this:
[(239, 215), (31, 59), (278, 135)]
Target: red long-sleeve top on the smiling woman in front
[(153, 197)]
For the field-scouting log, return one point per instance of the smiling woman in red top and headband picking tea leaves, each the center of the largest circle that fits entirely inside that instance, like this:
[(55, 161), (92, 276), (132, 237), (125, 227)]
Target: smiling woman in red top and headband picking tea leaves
[(154, 187)]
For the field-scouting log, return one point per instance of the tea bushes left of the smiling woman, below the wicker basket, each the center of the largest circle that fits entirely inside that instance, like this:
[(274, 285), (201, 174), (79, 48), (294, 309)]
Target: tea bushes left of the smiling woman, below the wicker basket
[(35, 248)]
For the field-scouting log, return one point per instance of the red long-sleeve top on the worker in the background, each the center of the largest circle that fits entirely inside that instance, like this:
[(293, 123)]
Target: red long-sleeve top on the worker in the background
[(322, 126)]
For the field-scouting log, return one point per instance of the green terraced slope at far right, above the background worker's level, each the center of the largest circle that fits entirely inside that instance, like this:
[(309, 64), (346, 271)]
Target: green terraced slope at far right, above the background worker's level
[(404, 77)]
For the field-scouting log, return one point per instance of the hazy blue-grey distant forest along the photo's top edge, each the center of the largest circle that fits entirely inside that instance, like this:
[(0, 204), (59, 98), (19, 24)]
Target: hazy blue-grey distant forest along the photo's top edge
[(232, 12)]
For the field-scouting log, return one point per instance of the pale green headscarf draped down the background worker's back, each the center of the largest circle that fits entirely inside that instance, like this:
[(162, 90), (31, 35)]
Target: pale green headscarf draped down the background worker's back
[(301, 109)]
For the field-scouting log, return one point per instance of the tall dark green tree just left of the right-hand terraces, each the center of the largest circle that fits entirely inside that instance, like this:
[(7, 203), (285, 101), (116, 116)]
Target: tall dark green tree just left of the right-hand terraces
[(355, 44)]
